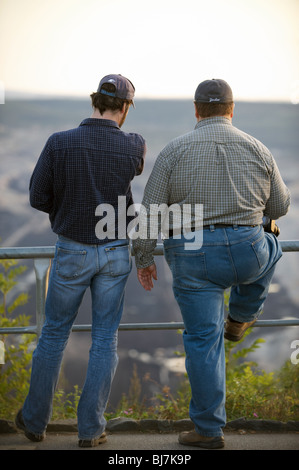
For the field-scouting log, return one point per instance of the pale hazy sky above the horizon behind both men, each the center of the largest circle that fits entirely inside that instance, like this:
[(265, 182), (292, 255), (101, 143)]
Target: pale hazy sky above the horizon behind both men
[(165, 47)]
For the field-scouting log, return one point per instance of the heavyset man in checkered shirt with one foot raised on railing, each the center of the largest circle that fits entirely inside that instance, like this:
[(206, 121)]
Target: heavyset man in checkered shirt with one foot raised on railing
[(234, 179)]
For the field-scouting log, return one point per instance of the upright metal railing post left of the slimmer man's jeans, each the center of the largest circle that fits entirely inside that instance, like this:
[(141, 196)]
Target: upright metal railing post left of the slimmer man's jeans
[(41, 268)]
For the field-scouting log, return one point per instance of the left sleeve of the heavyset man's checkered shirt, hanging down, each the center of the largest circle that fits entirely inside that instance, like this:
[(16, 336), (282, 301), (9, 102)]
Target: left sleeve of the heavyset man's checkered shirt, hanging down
[(154, 203)]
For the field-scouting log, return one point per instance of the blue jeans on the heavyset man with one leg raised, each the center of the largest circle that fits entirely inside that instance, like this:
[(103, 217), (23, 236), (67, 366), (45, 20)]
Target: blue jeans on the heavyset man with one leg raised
[(242, 258)]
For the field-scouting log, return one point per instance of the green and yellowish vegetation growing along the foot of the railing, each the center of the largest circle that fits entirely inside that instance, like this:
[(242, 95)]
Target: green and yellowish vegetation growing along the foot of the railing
[(251, 392)]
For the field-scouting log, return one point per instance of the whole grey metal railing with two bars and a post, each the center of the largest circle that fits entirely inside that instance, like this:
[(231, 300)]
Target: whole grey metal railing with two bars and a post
[(42, 260)]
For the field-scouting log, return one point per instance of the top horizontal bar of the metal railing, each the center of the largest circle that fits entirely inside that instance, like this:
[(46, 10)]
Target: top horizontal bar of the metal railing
[(29, 252)]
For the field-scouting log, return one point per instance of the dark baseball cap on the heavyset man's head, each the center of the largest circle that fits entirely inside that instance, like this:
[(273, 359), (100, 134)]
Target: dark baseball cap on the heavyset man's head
[(215, 90)]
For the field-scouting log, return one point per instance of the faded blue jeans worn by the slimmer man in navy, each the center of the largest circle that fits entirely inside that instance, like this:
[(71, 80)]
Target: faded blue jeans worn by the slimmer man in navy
[(105, 269)]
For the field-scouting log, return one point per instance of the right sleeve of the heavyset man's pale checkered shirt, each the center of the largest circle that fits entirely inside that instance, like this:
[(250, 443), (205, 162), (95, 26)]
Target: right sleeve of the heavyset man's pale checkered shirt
[(279, 201)]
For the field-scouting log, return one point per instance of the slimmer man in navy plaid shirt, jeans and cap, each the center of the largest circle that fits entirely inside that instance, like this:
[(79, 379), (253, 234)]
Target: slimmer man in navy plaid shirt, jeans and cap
[(78, 171)]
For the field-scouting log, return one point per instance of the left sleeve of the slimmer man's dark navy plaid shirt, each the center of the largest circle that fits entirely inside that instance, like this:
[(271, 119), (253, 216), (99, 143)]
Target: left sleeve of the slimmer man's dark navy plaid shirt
[(41, 192)]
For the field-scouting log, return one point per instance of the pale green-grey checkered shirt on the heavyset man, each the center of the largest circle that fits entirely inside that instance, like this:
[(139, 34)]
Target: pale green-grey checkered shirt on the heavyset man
[(231, 174)]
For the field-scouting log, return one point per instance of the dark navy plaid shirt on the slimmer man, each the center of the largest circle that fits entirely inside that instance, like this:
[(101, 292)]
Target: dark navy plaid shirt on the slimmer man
[(82, 168)]
